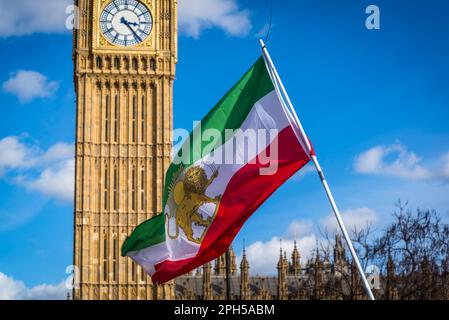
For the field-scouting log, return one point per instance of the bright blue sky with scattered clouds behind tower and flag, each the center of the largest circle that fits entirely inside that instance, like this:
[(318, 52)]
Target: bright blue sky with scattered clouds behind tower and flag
[(375, 104)]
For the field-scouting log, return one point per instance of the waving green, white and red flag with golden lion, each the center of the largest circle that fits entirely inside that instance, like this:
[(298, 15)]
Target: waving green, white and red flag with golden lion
[(245, 148)]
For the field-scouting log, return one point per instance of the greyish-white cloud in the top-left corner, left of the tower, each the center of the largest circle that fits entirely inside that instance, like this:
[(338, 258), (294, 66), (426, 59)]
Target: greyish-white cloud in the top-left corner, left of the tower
[(24, 17)]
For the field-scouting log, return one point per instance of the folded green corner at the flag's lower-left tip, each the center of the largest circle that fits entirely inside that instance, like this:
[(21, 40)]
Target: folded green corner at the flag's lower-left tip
[(148, 234)]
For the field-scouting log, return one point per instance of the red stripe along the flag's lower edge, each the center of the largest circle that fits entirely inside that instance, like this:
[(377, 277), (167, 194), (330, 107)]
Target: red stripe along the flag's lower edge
[(246, 192)]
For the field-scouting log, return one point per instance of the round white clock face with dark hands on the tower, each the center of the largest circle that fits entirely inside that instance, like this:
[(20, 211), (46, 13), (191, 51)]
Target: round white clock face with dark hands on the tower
[(126, 22)]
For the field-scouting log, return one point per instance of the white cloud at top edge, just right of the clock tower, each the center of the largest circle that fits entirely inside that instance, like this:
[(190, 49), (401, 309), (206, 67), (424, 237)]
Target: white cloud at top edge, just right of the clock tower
[(198, 15)]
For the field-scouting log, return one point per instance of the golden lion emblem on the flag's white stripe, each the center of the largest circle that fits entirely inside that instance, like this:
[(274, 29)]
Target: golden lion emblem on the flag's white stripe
[(189, 195)]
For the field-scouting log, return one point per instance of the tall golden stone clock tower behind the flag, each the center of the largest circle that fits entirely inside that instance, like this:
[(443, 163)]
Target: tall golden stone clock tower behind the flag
[(124, 54)]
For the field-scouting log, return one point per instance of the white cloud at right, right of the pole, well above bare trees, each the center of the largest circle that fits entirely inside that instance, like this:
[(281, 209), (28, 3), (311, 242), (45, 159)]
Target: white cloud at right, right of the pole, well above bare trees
[(392, 160)]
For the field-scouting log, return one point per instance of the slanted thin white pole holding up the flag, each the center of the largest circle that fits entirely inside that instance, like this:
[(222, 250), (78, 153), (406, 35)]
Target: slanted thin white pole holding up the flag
[(306, 142)]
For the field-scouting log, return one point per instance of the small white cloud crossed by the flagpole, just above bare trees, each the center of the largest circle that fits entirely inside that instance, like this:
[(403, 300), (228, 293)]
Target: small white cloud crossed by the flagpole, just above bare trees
[(353, 219)]
